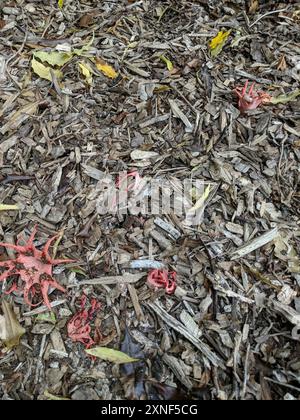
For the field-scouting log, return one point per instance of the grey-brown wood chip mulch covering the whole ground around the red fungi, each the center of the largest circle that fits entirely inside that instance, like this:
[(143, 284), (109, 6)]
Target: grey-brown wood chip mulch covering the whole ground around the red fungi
[(93, 89)]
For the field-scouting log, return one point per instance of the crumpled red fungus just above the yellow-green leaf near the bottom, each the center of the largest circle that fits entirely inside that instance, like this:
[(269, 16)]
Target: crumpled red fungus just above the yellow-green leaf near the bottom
[(79, 329)]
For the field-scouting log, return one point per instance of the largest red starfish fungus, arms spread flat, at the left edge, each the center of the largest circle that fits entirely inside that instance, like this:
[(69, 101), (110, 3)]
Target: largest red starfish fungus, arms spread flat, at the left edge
[(34, 268)]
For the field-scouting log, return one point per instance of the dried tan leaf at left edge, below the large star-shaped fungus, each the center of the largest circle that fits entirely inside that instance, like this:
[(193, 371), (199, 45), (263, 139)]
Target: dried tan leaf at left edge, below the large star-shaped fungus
[(10, 328)]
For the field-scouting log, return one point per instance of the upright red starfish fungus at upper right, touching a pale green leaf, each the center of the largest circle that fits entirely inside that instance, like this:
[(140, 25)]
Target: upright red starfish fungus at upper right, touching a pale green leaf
[(250, 100)]
